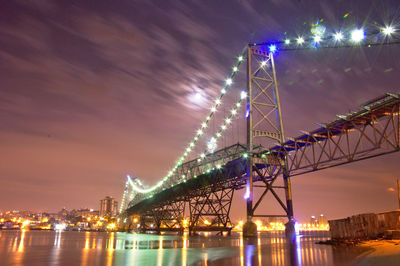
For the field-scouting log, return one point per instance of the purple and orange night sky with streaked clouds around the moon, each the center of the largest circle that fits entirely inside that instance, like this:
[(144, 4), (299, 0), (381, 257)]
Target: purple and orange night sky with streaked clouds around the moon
[(93, 90)]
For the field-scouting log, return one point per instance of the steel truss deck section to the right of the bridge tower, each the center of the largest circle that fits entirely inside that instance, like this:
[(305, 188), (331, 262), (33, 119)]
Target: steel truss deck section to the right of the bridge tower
[(373, 134)]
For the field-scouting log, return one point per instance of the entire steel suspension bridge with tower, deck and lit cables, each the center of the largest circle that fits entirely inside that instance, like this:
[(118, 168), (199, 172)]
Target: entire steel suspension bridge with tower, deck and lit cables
[(201, 187)]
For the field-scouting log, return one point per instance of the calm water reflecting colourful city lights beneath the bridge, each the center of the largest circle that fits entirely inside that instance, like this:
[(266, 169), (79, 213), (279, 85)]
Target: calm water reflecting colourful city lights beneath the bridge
[(101, 248)]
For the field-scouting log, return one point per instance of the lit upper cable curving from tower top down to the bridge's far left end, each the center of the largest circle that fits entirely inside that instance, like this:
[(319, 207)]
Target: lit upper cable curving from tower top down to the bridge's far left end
[(200, 131)]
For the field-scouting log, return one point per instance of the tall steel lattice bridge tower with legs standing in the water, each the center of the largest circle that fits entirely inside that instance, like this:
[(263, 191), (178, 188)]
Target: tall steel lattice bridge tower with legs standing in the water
[(264, 126)]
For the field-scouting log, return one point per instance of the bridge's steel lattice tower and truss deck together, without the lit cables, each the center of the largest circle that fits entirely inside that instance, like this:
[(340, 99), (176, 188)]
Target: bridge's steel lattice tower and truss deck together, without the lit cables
[(203, 188)]
